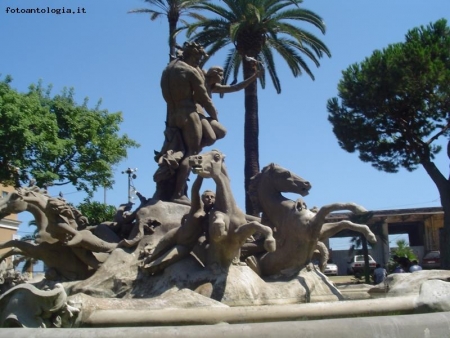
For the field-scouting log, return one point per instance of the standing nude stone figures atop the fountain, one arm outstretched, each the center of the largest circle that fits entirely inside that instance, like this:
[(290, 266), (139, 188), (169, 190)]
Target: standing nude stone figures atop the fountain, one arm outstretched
[(187, 89)]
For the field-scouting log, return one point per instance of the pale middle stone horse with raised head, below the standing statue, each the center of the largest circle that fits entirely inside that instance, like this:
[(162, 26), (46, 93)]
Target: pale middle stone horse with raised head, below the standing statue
[(228, 227)]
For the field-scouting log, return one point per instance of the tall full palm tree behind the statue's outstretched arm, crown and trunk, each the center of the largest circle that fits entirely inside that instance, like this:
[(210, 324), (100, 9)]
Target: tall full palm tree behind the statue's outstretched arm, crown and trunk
[(256, 28)]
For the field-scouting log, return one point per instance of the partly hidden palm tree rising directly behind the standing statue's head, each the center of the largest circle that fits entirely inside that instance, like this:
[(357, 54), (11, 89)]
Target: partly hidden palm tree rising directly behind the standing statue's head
[(173, 9)]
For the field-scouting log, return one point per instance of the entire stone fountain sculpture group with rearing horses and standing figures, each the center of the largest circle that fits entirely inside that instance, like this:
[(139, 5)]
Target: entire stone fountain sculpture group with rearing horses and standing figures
[(211, 253)]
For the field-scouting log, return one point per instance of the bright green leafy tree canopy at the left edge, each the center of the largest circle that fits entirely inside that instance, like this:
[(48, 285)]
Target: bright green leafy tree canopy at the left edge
[(54, 140)]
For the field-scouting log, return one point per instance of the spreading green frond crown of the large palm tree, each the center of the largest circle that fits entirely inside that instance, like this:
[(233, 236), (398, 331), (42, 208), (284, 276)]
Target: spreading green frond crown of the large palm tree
[(257, 29)]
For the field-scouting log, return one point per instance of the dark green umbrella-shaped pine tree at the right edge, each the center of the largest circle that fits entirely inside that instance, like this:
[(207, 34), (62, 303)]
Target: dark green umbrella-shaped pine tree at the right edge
[(395, 105)]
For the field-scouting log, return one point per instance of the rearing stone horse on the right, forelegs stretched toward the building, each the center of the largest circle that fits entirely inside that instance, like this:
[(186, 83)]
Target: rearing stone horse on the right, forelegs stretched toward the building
[(298, 231)]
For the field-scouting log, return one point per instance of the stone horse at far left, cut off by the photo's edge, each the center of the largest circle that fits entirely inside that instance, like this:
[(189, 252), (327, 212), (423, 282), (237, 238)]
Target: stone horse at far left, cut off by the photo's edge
[(57, 233)]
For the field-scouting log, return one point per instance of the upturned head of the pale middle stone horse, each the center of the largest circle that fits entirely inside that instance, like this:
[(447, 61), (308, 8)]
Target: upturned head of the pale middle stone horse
[(208, 165)]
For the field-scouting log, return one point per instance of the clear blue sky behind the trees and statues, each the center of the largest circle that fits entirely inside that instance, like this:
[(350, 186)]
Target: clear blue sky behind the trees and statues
[(118, 57)]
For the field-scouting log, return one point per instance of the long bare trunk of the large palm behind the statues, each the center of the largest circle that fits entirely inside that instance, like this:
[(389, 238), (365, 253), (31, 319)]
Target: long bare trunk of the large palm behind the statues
[(251, 134)]
